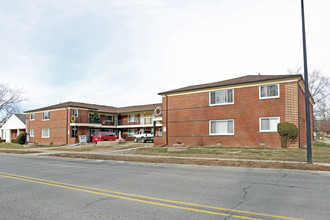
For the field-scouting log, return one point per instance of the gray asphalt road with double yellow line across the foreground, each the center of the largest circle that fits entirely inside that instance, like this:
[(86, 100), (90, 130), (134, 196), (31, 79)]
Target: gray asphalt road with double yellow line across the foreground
[(34, 187)]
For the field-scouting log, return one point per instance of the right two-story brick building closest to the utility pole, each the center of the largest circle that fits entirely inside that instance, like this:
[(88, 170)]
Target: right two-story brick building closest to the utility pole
[(242, 111)]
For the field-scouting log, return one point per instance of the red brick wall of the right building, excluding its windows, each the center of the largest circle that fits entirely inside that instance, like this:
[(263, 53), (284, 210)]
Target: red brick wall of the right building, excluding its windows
[(189, 117)]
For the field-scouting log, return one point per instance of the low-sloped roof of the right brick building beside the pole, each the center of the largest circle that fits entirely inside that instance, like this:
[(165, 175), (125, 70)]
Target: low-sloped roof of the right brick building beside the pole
[(234, 81)]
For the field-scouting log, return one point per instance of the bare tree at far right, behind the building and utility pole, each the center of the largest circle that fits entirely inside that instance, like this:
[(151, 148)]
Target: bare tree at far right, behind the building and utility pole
[(319, 87)]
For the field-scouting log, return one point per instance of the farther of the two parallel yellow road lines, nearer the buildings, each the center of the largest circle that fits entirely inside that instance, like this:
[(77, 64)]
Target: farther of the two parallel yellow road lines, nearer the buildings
[(157, 199)]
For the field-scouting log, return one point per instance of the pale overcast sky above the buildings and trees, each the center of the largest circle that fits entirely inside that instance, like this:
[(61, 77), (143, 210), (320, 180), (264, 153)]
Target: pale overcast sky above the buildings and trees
[(124, 52)]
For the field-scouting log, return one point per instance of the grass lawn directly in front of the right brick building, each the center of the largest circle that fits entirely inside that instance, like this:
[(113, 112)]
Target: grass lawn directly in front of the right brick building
[(320, 152)]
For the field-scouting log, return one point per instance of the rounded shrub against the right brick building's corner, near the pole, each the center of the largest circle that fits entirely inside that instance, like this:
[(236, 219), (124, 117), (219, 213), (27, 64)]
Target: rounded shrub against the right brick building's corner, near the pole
[(288, 132)]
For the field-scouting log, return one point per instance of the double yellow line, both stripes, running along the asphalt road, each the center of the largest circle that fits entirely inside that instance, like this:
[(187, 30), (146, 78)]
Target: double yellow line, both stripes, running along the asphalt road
[(146, 199)]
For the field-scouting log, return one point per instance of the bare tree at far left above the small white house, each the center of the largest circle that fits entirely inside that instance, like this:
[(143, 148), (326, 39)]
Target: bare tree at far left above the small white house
[(10, 100)]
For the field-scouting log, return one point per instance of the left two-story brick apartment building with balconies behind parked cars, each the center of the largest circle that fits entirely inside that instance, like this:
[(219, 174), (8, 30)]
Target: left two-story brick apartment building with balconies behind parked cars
[(63, 123)]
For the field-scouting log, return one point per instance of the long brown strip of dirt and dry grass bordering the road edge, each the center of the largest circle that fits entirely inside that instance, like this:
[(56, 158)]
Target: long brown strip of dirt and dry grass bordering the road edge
[(281, 165)]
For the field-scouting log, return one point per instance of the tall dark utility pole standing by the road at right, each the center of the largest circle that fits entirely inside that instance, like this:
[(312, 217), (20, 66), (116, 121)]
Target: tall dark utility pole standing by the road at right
[(308, 123)]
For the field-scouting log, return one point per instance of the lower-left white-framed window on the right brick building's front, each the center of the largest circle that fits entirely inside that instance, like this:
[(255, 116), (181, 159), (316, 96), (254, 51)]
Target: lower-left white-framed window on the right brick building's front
[(222, 127)]
